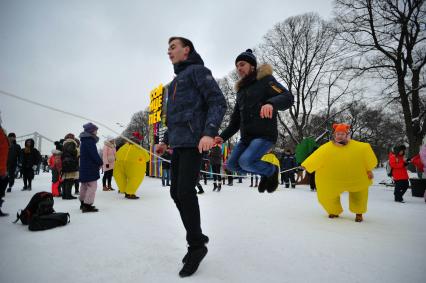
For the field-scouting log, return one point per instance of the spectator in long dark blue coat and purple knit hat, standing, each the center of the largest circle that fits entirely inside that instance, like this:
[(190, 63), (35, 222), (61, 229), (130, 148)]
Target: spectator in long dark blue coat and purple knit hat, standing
[(90, 163)]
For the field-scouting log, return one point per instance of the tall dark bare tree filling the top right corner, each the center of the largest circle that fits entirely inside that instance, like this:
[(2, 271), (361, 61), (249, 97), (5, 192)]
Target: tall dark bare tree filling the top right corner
[(389, 41)]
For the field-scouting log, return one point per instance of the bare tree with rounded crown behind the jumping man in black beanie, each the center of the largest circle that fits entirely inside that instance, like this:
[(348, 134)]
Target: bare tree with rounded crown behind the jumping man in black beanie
[(306, 57)]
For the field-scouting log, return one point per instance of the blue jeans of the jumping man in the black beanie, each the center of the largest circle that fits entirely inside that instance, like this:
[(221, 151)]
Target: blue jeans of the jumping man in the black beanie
[(246, 158)]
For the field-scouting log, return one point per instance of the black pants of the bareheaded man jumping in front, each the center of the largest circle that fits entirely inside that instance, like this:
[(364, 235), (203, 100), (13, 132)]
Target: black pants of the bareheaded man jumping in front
[(185, 169)]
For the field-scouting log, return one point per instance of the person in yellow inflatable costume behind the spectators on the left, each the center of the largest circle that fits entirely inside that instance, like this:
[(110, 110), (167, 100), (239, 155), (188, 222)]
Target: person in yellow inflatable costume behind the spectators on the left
[(129, 170)]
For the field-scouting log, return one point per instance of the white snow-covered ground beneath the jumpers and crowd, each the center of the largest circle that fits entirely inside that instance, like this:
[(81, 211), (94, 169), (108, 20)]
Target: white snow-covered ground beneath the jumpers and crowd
[(280, 237)]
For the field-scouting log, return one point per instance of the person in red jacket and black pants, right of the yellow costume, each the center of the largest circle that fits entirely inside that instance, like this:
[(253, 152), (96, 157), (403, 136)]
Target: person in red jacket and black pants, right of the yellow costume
[(398, 164)]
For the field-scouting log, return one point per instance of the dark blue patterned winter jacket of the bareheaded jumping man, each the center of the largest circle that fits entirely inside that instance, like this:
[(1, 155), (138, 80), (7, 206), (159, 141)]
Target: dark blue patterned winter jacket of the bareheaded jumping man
[(195, 104)]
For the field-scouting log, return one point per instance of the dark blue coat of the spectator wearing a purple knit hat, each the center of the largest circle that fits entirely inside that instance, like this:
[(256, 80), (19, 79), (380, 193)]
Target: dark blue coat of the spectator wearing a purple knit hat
[(90, 161)]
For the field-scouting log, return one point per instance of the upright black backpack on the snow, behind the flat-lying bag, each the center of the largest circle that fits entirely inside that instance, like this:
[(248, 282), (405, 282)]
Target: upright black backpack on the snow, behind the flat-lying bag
[(40, 204)]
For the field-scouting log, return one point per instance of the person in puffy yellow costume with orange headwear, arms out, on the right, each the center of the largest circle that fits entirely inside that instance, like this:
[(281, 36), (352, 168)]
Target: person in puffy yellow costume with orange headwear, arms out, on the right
[(342, 167)]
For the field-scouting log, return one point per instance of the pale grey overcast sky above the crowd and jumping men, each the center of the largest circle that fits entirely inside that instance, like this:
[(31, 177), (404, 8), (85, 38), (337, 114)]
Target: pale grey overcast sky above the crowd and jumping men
[(100, 59)]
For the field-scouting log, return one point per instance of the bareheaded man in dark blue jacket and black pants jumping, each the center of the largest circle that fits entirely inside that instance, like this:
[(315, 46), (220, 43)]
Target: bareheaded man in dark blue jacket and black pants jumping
[(195, 109)]
